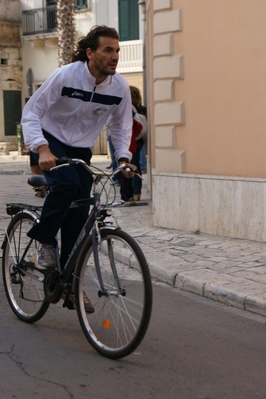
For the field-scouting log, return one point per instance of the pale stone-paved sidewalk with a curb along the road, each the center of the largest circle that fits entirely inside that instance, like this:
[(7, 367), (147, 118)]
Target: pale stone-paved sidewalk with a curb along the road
[(227, 270)]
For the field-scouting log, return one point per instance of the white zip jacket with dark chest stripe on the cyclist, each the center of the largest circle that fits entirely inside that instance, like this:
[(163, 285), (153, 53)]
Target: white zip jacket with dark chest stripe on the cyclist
[(72, 108)]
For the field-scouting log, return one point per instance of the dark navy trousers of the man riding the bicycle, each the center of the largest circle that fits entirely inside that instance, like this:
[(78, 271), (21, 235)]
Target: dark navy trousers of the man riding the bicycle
[(67, 184)]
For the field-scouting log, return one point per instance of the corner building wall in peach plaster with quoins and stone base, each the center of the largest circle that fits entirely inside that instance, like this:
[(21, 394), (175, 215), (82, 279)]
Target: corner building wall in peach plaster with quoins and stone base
[(206, 74)]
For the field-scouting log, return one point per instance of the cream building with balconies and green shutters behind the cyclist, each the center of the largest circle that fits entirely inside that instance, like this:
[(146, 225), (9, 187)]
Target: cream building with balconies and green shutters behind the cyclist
[(40, 41)]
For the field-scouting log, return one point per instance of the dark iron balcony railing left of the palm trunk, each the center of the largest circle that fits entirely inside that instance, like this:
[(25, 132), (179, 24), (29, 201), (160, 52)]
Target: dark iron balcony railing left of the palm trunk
[(39, 20)]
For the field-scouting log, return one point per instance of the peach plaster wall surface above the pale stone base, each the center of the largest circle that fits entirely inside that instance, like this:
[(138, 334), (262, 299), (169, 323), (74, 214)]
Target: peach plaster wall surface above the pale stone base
[(221, 46)]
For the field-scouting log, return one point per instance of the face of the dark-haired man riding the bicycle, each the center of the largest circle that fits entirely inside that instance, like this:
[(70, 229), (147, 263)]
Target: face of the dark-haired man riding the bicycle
[(103, 61)]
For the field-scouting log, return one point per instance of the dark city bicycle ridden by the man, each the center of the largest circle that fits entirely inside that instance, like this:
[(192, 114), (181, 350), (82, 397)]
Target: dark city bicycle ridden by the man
[(106, 263)]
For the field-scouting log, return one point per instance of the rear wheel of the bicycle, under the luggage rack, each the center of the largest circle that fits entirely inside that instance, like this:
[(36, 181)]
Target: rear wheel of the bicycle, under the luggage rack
[(25, 294)]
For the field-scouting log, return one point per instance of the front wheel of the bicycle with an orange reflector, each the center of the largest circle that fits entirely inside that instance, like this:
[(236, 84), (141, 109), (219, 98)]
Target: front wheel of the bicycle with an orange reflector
[(121, 318)]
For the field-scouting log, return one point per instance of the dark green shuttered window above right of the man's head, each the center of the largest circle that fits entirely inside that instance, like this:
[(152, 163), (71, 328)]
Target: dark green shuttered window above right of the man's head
[(128, 13)]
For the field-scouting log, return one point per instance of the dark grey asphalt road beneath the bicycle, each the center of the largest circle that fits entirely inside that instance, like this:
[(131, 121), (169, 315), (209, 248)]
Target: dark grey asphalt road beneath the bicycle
[(194, 349)]
